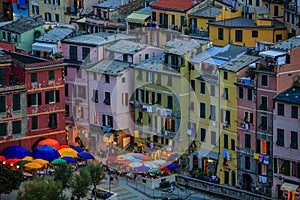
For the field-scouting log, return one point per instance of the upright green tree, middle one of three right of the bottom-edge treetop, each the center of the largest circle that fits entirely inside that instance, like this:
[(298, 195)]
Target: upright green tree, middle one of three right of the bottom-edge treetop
[(80, 183)]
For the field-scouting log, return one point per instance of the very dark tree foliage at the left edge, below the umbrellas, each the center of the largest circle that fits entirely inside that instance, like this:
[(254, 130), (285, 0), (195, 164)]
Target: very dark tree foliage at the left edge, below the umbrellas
[(9, 180)]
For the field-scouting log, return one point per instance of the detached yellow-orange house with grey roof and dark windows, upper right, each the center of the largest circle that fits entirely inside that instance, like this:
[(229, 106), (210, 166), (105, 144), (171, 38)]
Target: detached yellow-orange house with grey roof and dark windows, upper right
[(230, 28)]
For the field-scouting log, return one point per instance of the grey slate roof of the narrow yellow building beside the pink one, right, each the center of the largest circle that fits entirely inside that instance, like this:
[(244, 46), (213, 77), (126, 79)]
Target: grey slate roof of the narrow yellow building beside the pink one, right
[(239, 63)]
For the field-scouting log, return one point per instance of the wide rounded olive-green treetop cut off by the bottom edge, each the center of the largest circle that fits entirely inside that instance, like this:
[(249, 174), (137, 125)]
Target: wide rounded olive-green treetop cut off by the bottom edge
[(42, 189)]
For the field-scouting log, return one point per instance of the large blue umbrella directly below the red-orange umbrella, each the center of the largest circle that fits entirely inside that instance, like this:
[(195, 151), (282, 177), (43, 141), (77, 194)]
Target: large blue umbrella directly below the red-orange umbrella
[(45, 152)]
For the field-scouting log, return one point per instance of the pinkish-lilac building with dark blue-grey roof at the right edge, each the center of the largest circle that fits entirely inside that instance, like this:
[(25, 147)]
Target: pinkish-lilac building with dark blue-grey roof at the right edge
[(286, 140)]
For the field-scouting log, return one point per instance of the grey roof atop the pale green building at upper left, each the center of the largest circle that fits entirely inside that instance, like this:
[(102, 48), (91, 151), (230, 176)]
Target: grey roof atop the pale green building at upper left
[(22, 25)]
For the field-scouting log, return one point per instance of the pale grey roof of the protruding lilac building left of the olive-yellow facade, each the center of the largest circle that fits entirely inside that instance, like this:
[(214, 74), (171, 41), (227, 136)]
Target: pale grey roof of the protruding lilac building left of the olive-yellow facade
[(109, 67)]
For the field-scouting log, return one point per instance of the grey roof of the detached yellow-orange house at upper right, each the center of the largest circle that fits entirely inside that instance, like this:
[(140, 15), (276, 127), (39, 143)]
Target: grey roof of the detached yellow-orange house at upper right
[(241, 22)]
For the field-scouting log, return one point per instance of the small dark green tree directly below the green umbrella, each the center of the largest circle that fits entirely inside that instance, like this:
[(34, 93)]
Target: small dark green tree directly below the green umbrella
[(63, 173)]
